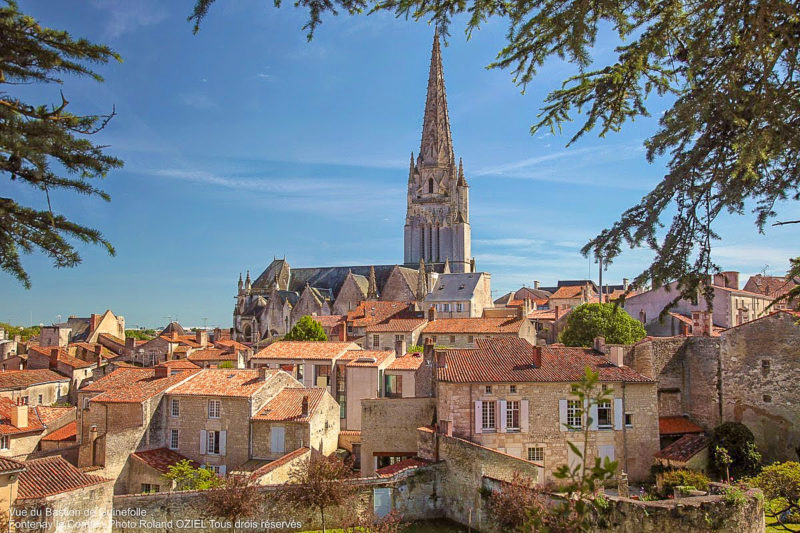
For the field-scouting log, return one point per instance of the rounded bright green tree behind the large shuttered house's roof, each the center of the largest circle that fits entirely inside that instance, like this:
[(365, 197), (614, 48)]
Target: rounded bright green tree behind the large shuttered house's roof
[(588, 321)]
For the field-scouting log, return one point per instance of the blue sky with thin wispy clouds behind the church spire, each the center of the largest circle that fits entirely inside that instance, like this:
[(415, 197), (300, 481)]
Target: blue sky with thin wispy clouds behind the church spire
[(245, 142)]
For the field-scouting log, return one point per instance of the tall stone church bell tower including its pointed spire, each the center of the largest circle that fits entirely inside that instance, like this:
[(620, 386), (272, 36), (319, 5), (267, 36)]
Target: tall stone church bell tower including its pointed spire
[(437, 215)]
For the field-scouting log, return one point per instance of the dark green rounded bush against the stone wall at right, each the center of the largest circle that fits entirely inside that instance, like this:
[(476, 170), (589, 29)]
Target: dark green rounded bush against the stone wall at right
[(739, 443)]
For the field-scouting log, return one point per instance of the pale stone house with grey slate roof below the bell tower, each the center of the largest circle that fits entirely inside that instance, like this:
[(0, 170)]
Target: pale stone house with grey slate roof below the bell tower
[(461, 295)]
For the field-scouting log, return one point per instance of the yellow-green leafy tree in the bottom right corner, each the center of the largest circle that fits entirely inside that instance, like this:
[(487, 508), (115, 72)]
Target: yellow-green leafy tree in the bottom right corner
[(780, 483)]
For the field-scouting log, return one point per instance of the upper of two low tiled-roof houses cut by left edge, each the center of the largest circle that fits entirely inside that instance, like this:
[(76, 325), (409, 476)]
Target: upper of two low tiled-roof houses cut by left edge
[(34, 387)]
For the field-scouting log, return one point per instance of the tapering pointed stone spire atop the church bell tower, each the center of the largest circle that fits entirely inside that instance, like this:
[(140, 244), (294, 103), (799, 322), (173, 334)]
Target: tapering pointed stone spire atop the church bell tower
[(437, 145)]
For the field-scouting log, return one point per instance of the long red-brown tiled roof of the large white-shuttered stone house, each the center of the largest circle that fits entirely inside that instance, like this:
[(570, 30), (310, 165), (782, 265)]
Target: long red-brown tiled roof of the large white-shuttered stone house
[(510, 359)]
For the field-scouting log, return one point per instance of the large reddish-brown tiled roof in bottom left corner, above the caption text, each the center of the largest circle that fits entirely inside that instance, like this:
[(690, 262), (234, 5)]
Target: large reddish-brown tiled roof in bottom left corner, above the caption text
[(52, 475)]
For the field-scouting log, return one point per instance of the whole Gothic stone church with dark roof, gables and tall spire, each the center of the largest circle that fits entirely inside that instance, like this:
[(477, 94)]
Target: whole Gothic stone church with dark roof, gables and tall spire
[(437, 243)]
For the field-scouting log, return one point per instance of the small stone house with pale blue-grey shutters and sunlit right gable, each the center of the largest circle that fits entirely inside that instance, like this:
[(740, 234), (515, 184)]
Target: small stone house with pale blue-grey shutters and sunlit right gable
[(295, 418)]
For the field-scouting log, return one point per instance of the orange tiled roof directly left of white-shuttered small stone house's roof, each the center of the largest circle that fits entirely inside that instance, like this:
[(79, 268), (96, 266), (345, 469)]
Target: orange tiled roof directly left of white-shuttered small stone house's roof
[(132, 385)]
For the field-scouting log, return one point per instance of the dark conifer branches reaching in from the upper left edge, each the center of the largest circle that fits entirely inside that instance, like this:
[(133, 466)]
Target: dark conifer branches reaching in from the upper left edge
[(46, 147)]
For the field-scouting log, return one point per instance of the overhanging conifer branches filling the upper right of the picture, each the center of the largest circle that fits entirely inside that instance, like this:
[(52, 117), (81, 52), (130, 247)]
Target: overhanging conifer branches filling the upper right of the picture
[(729, 69)]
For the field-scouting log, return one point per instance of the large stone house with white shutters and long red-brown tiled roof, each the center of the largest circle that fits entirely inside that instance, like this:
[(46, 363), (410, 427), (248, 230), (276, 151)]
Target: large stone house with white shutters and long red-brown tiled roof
[(516, 398)]
